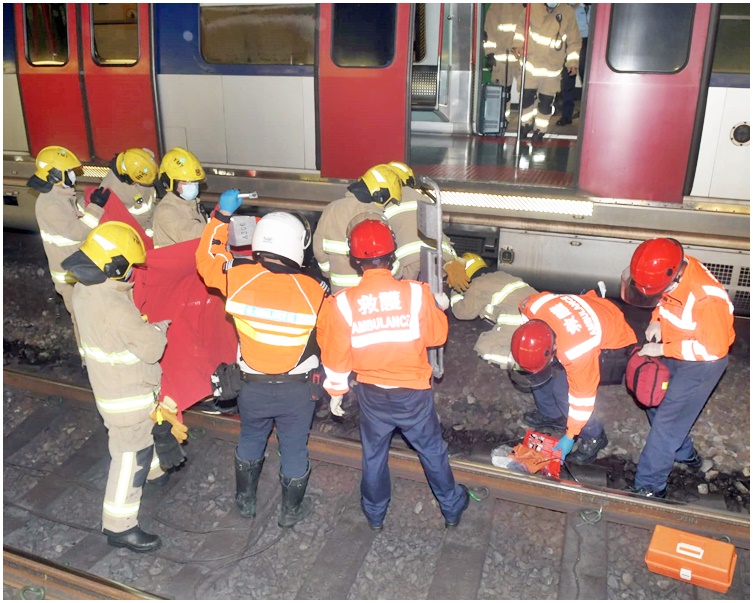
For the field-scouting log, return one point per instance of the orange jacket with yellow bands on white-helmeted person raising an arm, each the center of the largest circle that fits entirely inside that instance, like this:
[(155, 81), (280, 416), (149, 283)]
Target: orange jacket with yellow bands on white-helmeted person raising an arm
[(274, 312)]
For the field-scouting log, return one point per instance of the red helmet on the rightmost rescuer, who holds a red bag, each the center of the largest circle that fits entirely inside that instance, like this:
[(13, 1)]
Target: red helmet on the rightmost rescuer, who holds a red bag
[(653, 268)]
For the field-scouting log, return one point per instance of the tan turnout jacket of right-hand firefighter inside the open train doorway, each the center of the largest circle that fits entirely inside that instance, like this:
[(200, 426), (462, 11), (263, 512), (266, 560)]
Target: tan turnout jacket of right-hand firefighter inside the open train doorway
[(553, 41)]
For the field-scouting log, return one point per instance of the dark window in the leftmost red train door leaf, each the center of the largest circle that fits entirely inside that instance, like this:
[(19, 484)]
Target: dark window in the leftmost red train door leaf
[(46, 34)]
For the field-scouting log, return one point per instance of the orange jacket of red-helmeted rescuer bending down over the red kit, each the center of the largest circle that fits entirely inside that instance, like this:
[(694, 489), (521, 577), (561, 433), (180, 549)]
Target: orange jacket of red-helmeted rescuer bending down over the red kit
[(583, 325)]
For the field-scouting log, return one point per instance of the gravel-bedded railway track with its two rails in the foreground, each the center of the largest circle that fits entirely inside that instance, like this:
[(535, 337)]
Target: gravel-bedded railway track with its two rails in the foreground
[(531, 538)]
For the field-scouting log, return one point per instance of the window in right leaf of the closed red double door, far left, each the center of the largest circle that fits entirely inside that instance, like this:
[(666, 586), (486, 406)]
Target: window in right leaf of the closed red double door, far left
[(115, 29)]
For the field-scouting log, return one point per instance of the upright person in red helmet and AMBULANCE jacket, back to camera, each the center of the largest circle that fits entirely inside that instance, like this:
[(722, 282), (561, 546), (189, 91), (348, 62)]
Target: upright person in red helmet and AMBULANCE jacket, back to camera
[(380, 329)]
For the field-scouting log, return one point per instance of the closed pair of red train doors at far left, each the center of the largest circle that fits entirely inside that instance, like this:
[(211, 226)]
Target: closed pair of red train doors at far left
[(85, 77)]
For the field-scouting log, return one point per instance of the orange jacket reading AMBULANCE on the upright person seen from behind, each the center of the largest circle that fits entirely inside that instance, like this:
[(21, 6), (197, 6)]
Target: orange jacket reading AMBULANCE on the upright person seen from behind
[(380, 329)]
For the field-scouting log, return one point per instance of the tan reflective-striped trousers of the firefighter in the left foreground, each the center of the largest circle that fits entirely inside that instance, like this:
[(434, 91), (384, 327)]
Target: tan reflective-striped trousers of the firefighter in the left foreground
[(132, 462)]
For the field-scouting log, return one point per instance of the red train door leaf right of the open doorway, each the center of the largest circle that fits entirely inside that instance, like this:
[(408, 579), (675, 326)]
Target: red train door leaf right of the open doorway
[(641, 106)]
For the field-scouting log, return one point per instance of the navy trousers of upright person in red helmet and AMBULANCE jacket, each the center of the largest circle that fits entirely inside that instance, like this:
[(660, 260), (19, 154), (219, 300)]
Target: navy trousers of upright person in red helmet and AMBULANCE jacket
[(411, 411)]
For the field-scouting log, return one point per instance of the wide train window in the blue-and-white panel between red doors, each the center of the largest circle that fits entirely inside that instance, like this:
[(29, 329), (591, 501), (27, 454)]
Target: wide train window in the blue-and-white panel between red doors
[(268, 34)]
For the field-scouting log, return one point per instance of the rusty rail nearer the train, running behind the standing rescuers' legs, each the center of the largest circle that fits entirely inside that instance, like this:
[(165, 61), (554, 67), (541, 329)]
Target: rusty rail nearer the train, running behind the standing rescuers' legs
[(615, 506)]
